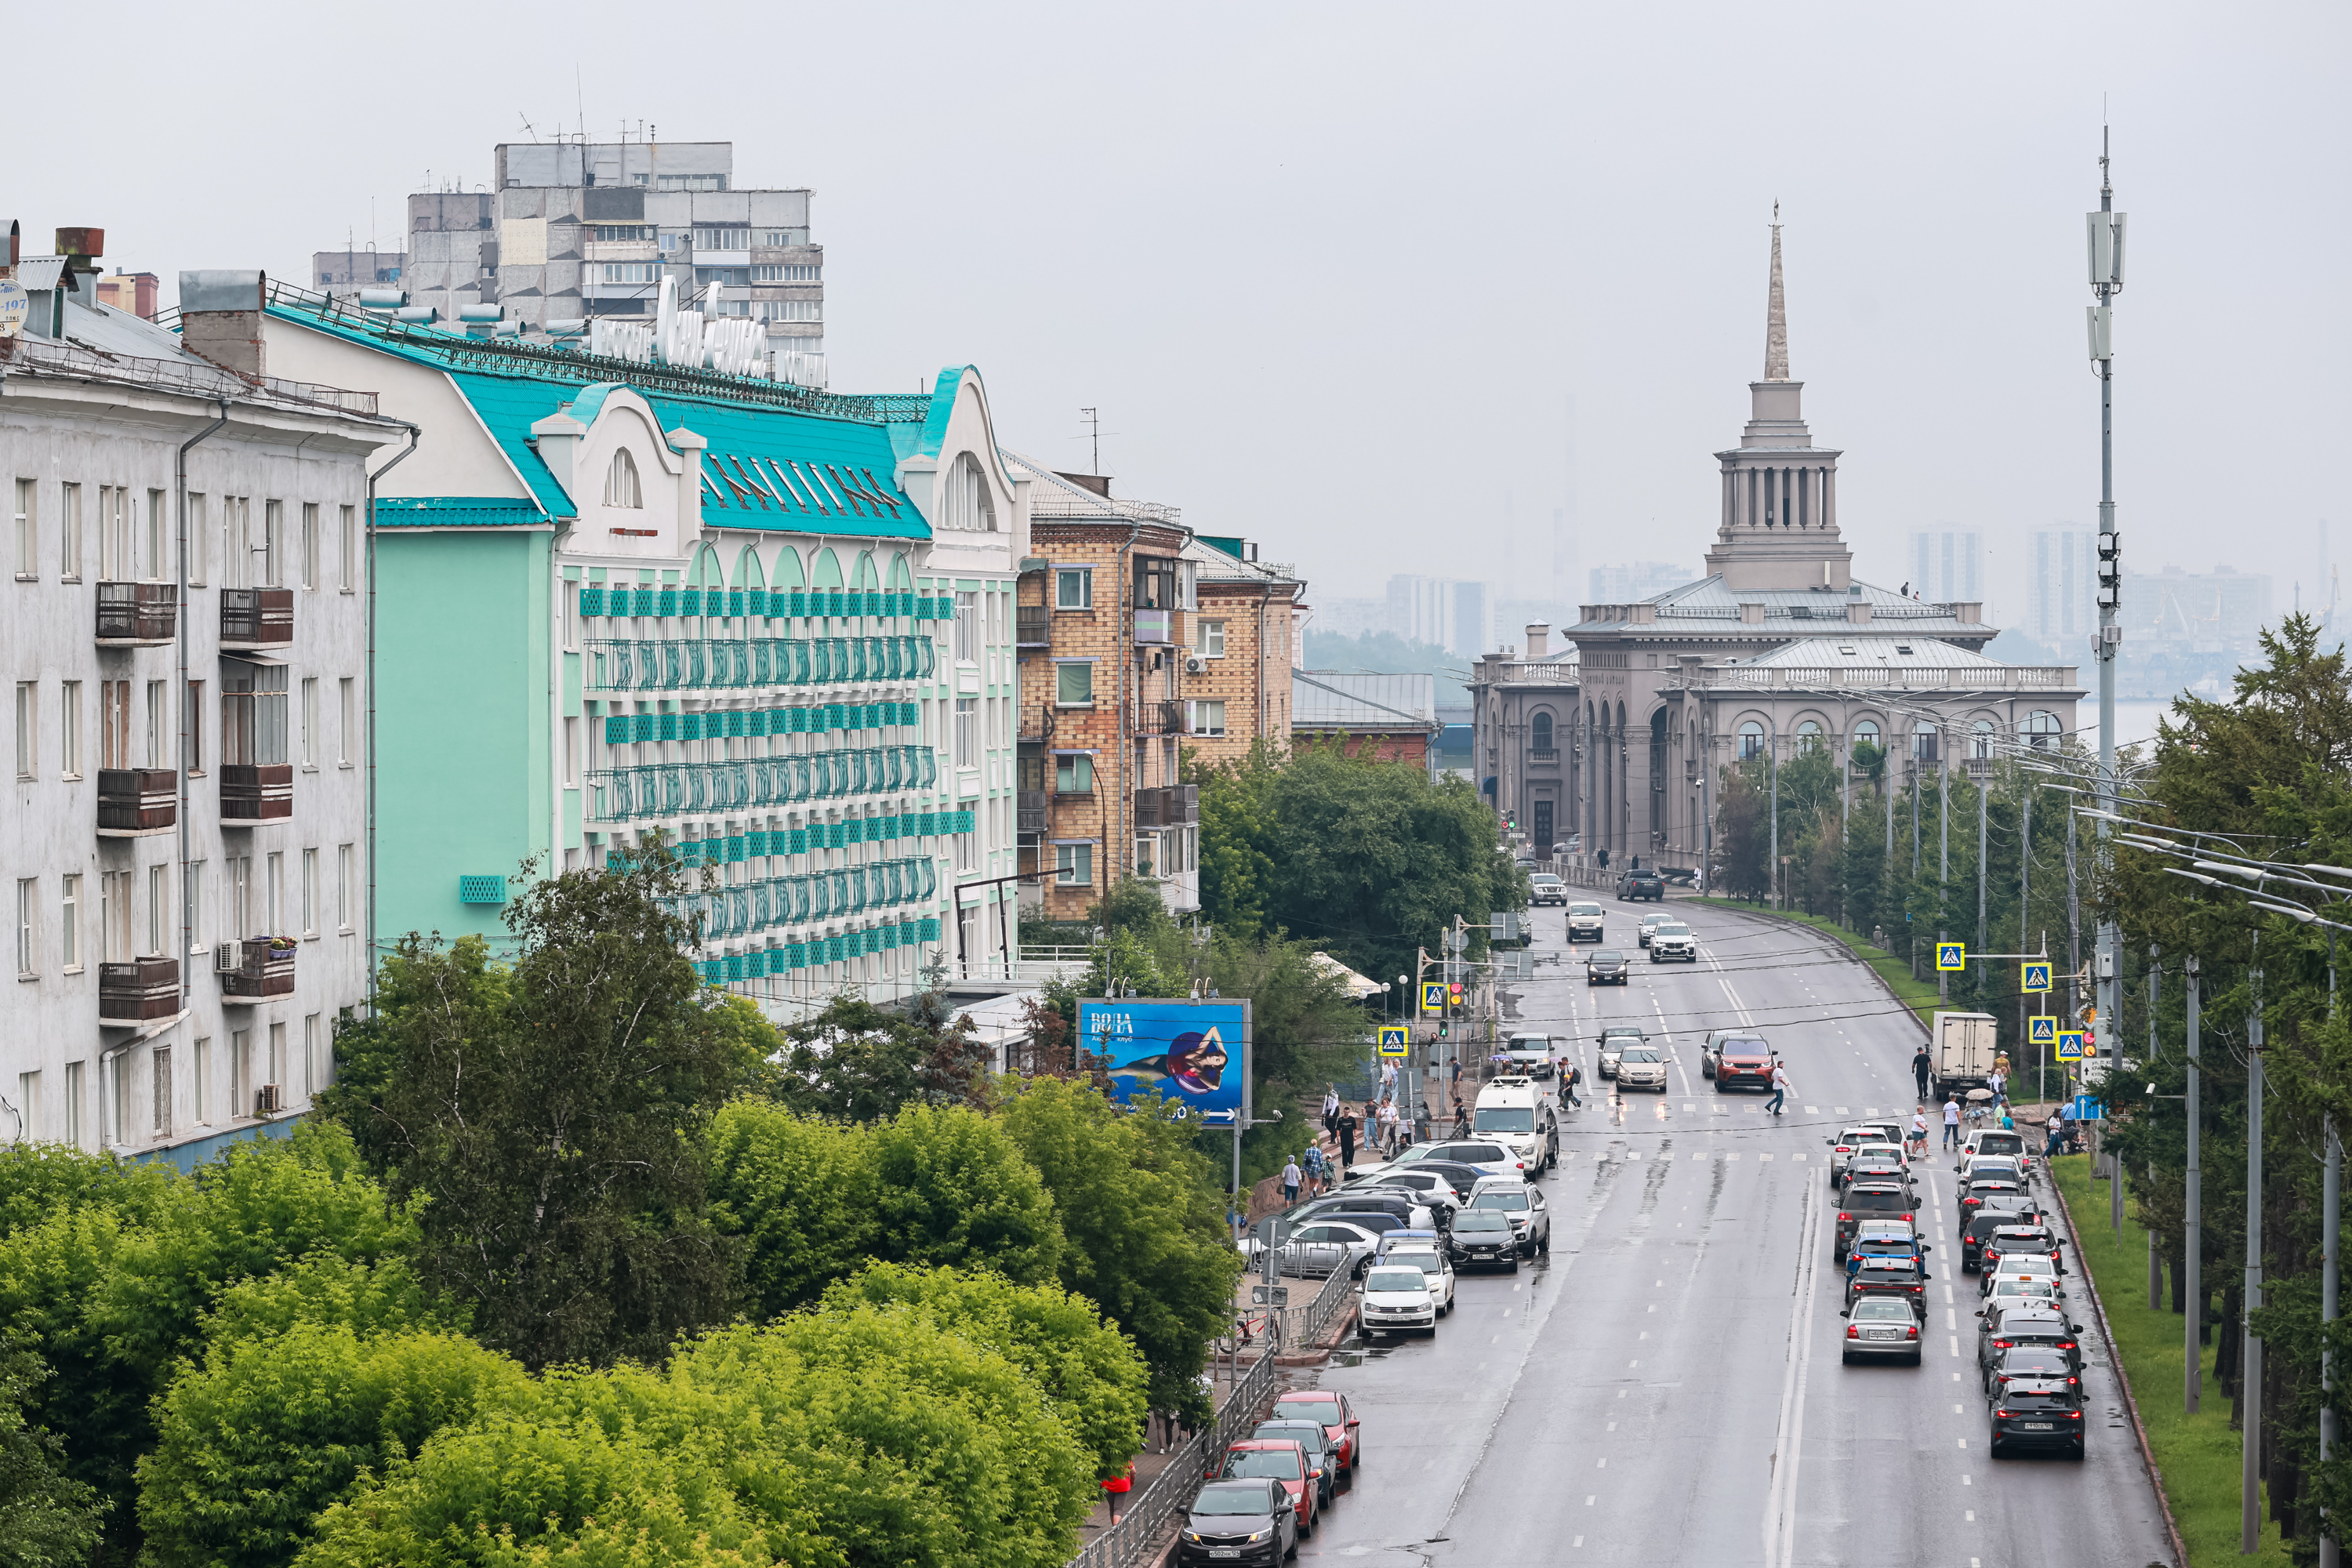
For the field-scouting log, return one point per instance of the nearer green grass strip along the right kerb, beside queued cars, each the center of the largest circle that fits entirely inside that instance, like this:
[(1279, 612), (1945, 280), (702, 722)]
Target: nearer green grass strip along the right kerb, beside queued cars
[(2196, 1454)]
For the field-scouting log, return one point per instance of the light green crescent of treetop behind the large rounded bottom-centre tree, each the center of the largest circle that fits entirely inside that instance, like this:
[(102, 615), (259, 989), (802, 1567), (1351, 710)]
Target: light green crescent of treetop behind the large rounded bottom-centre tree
[(1090, 1372)]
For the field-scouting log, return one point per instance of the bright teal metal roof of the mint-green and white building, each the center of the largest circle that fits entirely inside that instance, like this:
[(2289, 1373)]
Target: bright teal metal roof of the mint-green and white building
[(777, 457)]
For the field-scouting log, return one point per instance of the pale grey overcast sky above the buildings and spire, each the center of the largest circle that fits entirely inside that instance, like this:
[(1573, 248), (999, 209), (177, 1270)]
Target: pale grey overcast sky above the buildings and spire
[(1337, 276)]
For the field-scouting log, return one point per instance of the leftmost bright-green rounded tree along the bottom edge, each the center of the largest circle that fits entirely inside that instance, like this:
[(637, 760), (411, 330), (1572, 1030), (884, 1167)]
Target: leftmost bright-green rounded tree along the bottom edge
[(258, 1440)]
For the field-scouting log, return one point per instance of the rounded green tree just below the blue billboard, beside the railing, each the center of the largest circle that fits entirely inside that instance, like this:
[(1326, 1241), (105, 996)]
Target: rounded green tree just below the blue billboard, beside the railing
[(1142, 1221)]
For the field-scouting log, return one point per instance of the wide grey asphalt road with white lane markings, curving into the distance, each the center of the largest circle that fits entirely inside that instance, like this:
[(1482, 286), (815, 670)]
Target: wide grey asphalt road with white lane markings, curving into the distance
[(1666, 1388)]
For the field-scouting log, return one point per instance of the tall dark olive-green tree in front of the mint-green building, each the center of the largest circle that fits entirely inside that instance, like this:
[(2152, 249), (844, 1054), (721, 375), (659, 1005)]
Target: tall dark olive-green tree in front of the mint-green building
[(556, 1120)]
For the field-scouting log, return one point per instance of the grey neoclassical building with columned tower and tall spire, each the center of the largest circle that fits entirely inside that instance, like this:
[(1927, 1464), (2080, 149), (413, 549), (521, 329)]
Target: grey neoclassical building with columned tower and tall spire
[(1617, 737)]
